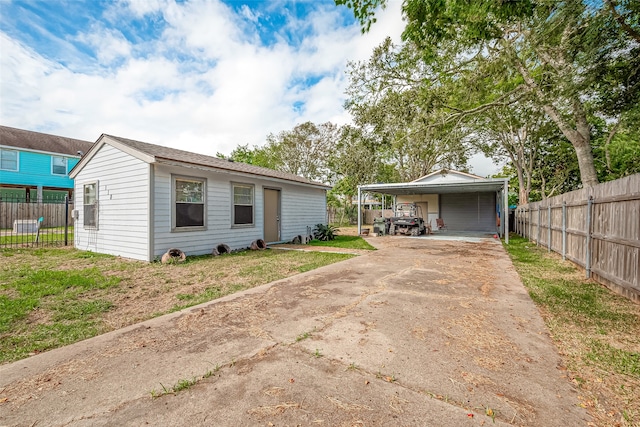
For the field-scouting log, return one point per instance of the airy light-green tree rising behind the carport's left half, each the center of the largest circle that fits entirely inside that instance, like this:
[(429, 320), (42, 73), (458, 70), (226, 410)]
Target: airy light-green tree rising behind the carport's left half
[(387, 96)]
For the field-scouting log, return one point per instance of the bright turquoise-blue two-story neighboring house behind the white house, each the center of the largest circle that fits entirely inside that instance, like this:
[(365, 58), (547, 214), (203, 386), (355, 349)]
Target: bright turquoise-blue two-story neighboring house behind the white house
[(35, 166)]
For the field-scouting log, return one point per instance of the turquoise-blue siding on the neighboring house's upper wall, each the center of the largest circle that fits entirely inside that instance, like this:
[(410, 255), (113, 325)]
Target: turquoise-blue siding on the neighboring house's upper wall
[(35, 169)]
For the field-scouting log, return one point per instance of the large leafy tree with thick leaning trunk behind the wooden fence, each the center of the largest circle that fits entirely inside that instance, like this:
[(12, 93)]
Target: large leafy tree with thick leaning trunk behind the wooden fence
[(554, 47)]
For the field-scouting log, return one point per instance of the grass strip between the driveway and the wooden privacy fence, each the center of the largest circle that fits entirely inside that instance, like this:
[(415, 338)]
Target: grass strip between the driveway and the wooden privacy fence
[(596, 331)]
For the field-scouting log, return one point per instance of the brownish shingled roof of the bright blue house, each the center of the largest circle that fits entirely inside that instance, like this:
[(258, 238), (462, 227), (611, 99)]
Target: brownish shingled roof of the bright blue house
[(29, 140)]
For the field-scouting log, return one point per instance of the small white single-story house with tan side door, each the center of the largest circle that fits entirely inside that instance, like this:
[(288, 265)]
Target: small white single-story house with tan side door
[(138, 200)]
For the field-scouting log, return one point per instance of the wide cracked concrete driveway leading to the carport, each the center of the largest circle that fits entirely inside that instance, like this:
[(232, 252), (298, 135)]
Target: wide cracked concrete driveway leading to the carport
[(419, 333)]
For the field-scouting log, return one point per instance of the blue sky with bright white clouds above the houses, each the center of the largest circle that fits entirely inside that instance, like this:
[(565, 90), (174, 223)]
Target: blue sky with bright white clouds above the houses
[(200, 75)]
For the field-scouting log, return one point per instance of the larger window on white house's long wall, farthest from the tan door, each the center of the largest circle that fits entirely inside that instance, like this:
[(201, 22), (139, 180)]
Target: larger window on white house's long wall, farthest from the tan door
[(189, 202)]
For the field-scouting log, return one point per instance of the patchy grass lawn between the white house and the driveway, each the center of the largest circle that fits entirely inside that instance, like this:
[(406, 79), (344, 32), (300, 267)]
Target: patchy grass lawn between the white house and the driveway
[(126, 291)]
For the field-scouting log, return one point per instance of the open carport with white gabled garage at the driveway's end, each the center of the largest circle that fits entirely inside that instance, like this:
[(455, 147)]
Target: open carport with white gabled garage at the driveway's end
[(466, 202)]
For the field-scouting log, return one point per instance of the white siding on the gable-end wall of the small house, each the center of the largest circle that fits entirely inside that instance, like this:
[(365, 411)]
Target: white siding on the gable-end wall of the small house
[(123, 195)]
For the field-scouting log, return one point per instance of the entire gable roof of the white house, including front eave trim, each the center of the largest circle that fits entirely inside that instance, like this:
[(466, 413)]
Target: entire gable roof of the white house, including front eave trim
[(152, 153)]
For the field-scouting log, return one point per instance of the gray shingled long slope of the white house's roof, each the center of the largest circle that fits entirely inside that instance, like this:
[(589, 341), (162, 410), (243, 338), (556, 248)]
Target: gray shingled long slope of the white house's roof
[(172, 154)]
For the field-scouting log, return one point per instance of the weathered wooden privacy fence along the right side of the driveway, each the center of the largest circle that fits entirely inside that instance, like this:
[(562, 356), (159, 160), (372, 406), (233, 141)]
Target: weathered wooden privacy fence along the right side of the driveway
[(597, 228)]
